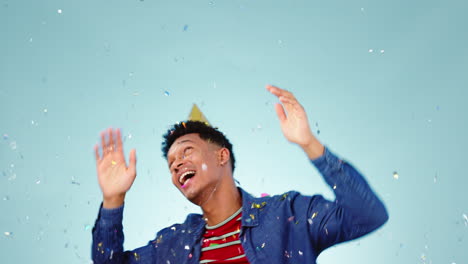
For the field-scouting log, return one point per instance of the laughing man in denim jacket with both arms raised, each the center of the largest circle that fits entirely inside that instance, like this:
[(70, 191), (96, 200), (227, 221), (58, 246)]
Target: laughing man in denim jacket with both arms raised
[(235, 227)]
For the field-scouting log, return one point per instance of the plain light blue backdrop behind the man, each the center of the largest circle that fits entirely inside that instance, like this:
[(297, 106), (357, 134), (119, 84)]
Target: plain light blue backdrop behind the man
[(64, 77)]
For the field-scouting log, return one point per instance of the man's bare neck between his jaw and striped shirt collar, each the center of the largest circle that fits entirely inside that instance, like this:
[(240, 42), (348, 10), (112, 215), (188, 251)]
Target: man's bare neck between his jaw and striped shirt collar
[(225, 202)]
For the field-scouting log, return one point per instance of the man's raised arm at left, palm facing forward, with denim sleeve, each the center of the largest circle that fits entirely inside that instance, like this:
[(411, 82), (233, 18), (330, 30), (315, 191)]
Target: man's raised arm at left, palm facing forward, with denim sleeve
[(115, 179)]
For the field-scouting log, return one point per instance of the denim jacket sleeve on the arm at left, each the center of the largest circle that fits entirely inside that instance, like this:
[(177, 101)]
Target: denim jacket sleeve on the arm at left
[(108, 238)]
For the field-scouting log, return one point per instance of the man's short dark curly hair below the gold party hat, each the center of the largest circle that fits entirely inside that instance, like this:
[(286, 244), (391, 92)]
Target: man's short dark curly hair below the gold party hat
[(205, 132)]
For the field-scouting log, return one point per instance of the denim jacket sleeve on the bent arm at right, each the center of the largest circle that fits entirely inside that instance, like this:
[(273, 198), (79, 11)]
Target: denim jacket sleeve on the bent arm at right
[(355, 212)]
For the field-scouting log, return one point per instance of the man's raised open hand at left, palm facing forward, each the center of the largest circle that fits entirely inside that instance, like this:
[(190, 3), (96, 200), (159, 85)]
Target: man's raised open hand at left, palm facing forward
[(114, 176)]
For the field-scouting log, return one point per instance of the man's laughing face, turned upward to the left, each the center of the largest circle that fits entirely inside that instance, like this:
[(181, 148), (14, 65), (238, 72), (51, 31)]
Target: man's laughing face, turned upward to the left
[(194, 166)]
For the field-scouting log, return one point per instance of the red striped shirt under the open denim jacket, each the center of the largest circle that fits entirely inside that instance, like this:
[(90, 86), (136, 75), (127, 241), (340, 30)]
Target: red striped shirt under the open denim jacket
[(221, 243)]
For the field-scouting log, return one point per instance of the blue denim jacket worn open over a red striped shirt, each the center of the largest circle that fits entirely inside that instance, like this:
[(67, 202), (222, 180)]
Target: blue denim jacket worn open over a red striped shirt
[(286, 228)]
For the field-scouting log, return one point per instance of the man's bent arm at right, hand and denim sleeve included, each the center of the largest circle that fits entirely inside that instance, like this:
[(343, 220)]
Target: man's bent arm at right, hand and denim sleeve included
[(356, 210)]
